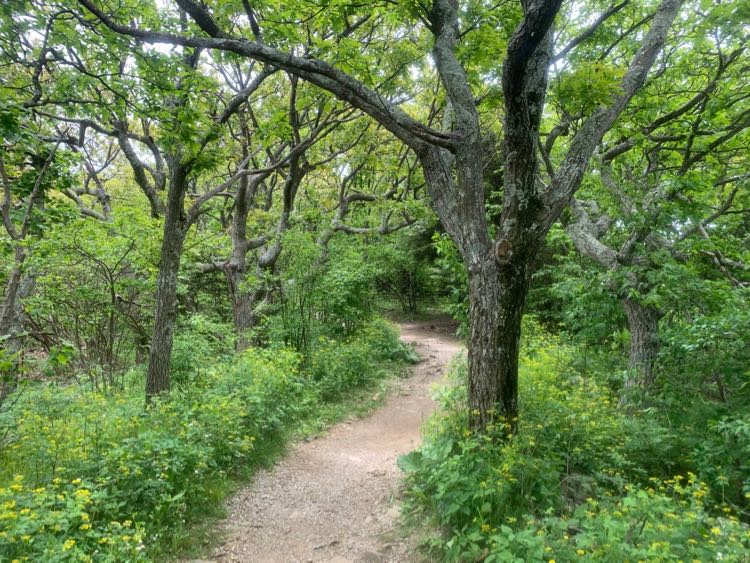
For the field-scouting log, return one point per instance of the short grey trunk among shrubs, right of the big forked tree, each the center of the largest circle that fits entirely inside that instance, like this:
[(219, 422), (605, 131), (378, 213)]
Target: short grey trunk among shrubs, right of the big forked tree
[(643, 323)]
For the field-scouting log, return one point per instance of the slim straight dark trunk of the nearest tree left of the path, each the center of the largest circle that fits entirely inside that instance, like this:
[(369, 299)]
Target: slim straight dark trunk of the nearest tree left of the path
[(175, 227)]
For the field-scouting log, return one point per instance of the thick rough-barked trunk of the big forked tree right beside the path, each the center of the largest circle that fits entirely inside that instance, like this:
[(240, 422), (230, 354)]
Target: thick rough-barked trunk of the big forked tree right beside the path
[(498, 284)]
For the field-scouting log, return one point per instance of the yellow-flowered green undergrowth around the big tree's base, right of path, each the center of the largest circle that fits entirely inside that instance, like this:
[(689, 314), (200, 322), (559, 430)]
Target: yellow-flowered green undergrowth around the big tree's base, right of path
[(581, 480)]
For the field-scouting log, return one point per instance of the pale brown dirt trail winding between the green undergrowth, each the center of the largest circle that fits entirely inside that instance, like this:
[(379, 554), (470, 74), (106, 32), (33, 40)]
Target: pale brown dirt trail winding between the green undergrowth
[(332, 499)]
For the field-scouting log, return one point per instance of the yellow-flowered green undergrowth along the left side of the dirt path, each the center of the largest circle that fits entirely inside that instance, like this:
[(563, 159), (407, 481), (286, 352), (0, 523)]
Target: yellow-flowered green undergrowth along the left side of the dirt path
[(86, 476)]
